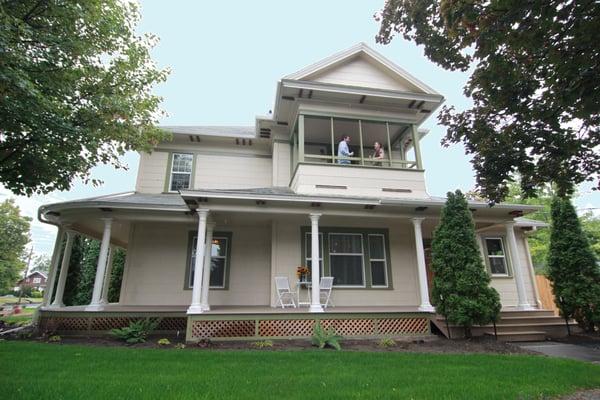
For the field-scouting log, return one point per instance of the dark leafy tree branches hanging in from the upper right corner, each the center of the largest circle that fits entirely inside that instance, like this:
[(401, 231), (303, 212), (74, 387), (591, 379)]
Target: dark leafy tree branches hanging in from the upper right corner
[(534, 84)]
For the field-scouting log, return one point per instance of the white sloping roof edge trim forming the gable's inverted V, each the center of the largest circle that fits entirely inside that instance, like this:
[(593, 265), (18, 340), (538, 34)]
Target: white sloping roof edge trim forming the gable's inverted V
[(360, 50)]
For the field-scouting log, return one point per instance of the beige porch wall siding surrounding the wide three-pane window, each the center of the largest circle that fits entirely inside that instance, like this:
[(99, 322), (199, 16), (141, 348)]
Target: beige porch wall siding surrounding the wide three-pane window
[(286, 257)]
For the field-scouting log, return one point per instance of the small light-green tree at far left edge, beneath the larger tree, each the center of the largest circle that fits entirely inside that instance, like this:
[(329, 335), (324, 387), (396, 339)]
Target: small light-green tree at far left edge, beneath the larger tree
[(14, 235)]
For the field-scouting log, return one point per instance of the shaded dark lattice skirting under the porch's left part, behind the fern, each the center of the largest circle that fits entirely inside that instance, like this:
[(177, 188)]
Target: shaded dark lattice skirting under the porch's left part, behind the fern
[(67, 324)]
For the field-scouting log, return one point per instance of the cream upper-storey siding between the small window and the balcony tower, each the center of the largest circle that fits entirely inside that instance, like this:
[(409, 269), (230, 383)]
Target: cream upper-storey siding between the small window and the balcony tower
[(232, 172)]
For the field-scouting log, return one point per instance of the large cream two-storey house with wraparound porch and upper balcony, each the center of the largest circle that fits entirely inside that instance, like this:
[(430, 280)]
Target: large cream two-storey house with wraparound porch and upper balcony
[(256, 194)]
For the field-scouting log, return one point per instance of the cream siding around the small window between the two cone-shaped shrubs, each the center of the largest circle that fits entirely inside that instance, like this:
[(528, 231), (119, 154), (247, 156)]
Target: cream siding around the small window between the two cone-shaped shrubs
[(506, 286)]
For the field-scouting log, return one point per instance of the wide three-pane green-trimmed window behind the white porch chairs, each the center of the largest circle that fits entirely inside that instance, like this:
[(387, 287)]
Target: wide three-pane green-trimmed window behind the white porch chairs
[(354, 257)]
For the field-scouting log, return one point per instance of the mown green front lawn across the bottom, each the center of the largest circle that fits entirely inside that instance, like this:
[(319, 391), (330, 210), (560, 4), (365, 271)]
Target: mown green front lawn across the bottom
[(72, 372)]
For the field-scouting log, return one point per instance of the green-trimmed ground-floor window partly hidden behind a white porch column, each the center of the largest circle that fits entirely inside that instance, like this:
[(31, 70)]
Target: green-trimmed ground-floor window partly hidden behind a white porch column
[(219, 261)]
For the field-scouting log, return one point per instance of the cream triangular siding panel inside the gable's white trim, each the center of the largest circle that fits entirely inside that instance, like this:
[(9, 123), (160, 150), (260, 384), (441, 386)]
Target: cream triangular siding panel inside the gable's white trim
[(360, 72)]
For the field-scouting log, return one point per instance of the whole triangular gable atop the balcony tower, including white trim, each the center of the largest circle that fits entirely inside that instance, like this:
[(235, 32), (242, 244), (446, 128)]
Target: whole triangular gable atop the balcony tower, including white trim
[(363, 67)]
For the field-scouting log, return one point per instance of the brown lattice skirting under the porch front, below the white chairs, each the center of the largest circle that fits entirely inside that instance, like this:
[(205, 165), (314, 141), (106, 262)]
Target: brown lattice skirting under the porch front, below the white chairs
[(302, 328)]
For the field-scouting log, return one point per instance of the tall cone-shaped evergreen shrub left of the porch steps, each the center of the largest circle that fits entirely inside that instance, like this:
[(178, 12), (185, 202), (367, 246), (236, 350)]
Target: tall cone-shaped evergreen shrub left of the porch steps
[(461, 284)]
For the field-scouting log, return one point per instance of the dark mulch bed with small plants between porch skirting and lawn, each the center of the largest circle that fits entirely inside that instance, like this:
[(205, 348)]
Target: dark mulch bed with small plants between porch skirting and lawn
[(427, 344)]
